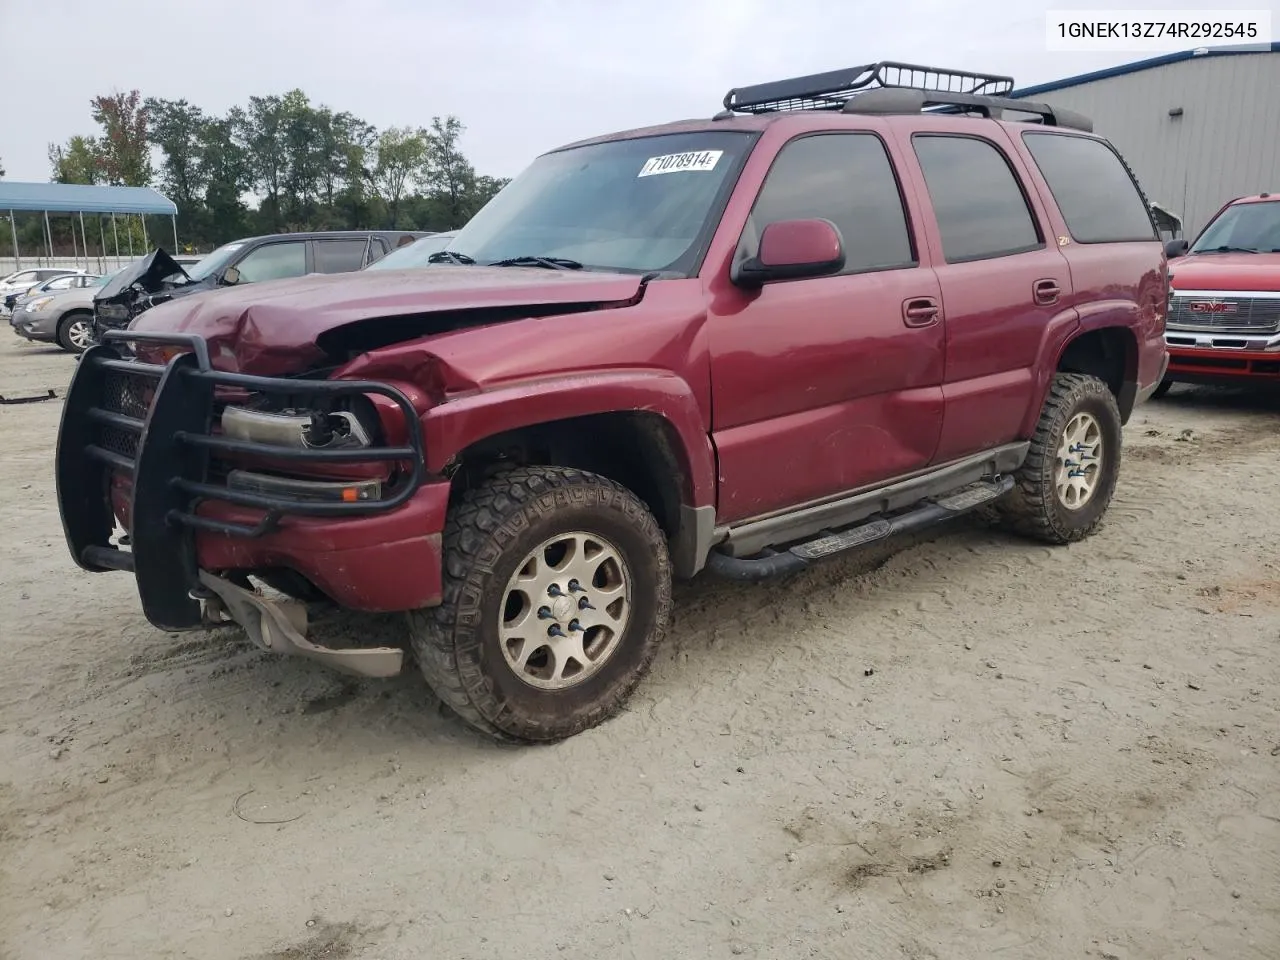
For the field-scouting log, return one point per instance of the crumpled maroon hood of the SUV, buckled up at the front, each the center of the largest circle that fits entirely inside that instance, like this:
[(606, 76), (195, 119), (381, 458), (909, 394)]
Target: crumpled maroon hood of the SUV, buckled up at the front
[(286, 327)]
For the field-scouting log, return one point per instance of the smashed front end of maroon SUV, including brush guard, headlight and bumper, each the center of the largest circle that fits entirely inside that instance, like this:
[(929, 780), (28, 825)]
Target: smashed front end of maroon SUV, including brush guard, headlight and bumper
[(209, 473)]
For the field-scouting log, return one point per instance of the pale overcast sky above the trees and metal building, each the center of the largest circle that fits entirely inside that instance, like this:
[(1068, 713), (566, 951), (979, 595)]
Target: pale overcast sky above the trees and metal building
[(524, 76)]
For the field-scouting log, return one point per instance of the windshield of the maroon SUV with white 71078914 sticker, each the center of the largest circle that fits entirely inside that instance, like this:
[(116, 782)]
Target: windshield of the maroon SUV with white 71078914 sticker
[(634, 205)]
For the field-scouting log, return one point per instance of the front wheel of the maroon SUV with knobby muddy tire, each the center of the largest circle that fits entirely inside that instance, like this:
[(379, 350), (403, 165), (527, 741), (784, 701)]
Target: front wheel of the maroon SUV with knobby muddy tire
[(557, 593)]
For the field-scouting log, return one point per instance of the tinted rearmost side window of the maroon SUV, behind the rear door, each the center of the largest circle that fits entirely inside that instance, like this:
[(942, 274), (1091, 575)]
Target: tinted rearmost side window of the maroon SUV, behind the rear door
[(1099, 198)]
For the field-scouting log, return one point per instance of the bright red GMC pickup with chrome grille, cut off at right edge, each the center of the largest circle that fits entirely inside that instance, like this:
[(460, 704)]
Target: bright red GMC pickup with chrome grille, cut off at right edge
[(1224, 316)]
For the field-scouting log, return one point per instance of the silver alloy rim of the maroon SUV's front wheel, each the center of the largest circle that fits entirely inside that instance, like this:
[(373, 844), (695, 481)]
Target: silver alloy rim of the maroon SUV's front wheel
[(565, 611)]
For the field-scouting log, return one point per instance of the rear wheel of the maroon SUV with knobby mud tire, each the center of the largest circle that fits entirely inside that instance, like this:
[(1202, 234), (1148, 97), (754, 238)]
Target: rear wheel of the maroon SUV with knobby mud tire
[(1036, 508)]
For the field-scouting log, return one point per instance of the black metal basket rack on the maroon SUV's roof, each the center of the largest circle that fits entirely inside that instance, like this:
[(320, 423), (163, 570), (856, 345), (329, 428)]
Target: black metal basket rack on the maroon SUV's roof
[(892, 88)]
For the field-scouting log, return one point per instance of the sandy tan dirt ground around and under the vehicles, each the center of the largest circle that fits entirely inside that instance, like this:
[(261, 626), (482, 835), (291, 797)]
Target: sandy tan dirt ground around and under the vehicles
[(967, 747)]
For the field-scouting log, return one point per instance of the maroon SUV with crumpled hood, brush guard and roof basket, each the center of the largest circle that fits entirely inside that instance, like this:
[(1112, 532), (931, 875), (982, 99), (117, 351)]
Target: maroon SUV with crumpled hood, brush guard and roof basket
[(847, 307)]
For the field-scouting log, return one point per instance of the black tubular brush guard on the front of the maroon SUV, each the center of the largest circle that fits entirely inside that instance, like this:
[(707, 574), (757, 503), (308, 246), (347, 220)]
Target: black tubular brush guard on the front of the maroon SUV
[(166, 447)]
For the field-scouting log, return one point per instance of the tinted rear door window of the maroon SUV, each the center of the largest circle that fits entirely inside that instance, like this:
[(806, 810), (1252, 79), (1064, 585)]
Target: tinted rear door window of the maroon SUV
[(980, 205)]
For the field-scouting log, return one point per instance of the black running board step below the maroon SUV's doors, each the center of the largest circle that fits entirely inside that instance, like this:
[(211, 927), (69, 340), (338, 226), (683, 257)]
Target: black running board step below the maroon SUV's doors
[(798, 557)]
